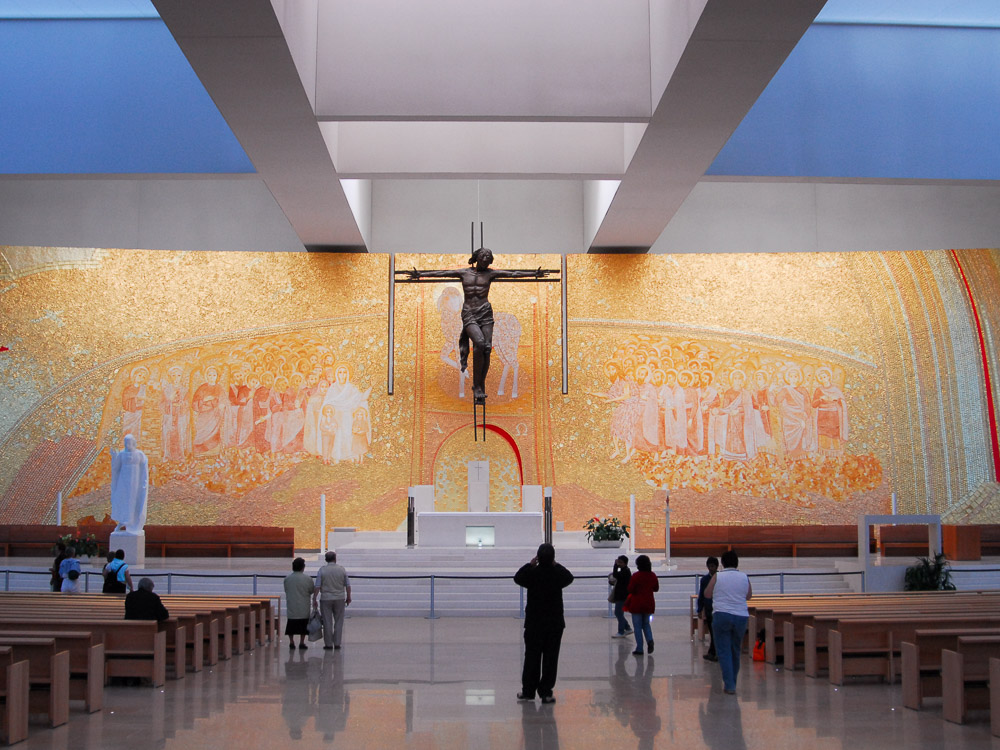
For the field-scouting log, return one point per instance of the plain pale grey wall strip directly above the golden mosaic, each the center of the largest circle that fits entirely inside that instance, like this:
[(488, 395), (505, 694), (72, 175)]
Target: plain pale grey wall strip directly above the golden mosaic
[(519, 216)]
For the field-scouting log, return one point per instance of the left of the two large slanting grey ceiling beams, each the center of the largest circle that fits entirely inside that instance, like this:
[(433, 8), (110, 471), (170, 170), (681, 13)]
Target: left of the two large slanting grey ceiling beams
[(238, 51)]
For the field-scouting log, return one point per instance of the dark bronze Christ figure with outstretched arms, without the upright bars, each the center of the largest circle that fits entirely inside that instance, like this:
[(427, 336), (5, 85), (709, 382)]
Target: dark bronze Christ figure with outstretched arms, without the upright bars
[(477, 313)]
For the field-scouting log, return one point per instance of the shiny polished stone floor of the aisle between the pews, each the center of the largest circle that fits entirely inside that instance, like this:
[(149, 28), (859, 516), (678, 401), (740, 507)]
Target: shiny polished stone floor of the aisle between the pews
[(451, 683)]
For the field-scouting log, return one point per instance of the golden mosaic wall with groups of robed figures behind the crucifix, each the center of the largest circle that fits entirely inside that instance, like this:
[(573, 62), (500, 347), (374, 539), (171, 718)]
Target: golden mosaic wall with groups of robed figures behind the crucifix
[(757, 389)]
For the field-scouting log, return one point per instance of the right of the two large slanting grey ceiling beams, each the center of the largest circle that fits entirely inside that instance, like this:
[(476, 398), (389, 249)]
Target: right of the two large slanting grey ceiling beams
[(735, 49)]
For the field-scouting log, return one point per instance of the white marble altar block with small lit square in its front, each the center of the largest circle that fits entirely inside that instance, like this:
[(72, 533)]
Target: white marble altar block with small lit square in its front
[(452, 529)]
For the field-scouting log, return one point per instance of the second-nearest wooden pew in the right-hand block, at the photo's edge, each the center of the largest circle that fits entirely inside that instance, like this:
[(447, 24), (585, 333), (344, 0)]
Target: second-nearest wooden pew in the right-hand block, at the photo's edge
[(965, 674)]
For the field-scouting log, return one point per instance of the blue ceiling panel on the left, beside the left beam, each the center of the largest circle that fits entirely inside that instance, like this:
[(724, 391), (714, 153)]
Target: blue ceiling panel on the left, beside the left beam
[(106, 96)]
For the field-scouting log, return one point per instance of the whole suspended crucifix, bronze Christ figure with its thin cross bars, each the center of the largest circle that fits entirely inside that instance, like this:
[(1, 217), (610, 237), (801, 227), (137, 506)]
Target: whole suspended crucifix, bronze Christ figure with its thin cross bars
[(477, 313)]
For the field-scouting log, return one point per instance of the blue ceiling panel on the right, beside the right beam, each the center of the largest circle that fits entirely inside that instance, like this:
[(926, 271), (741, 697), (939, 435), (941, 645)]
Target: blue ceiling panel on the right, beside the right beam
[(877, 101)]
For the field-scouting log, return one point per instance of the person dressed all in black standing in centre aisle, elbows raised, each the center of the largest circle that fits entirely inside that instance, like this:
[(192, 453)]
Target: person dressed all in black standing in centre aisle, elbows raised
[(544, 580)]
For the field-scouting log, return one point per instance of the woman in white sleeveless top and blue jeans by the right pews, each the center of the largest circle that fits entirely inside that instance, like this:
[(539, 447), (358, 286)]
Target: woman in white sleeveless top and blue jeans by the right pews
[(729, 591)]
